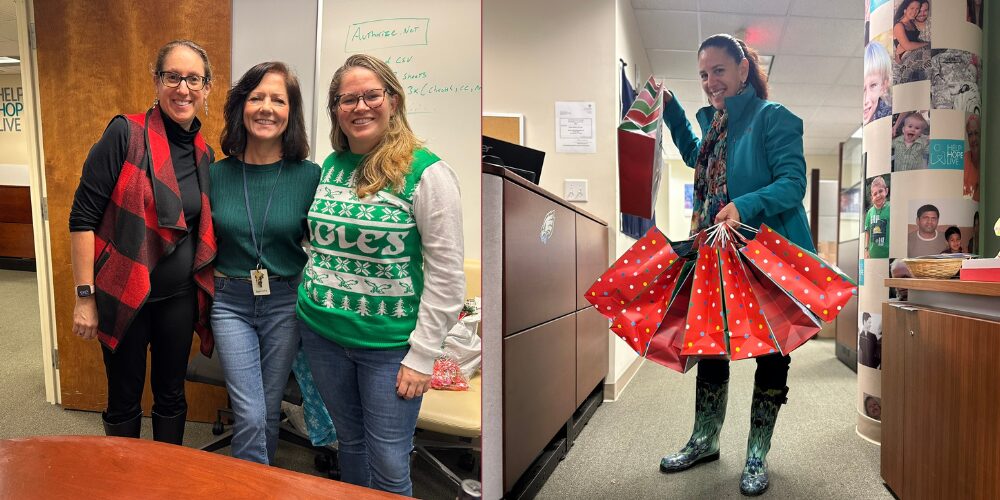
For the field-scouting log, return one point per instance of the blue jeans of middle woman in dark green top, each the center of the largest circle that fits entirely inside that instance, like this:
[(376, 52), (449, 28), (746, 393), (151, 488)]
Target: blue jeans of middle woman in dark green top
[(256, 338)]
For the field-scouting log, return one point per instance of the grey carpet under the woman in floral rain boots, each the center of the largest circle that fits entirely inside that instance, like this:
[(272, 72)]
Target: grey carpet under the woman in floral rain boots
[(815, 454)]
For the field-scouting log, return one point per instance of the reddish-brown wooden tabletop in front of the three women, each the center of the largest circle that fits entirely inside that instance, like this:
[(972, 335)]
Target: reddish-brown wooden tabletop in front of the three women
[(94, 467)]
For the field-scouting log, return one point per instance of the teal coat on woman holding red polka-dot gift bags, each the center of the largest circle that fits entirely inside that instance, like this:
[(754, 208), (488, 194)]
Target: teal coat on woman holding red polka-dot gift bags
[(766, 168)]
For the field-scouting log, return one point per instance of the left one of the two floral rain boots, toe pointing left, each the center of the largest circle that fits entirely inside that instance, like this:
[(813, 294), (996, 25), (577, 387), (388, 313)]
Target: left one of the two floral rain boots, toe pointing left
[(709, 413)]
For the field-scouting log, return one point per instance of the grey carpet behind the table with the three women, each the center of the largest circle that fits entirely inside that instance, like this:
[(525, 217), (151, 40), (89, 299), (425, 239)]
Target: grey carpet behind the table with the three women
[(24, 412)]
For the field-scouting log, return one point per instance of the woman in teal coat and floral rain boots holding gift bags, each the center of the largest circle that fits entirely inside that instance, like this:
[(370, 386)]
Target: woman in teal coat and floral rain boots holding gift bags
[(750, 169)]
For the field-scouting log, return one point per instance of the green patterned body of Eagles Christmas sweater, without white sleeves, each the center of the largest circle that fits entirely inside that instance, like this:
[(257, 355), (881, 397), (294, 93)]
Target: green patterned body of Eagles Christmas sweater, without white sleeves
[(362, 283)]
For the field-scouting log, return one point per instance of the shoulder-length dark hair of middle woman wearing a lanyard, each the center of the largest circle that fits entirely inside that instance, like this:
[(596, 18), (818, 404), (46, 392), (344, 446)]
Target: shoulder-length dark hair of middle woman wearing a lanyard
[(294, 144)]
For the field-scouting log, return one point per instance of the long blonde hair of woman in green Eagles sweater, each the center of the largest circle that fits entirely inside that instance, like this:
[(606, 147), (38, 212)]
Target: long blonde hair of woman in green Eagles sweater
[(388, 163)]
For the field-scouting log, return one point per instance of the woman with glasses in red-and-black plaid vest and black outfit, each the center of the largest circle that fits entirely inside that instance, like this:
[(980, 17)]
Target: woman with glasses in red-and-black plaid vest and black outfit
[(143, 246)]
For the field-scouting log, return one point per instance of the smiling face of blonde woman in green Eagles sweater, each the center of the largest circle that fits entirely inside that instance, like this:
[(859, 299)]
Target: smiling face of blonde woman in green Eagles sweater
[(364, 126)]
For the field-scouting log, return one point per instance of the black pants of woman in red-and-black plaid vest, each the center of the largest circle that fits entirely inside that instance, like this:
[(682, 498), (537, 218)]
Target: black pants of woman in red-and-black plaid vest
[(166, 328)]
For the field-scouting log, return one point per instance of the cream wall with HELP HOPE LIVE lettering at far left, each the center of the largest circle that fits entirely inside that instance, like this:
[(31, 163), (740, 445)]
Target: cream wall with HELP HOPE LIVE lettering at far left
[(13, 141)]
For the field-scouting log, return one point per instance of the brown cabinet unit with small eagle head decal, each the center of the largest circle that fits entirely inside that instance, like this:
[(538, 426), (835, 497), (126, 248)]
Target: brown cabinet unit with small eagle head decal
[(547, 349)]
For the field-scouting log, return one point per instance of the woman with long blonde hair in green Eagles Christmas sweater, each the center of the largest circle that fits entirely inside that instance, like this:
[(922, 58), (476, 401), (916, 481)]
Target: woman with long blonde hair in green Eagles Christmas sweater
[(384, 281)]
